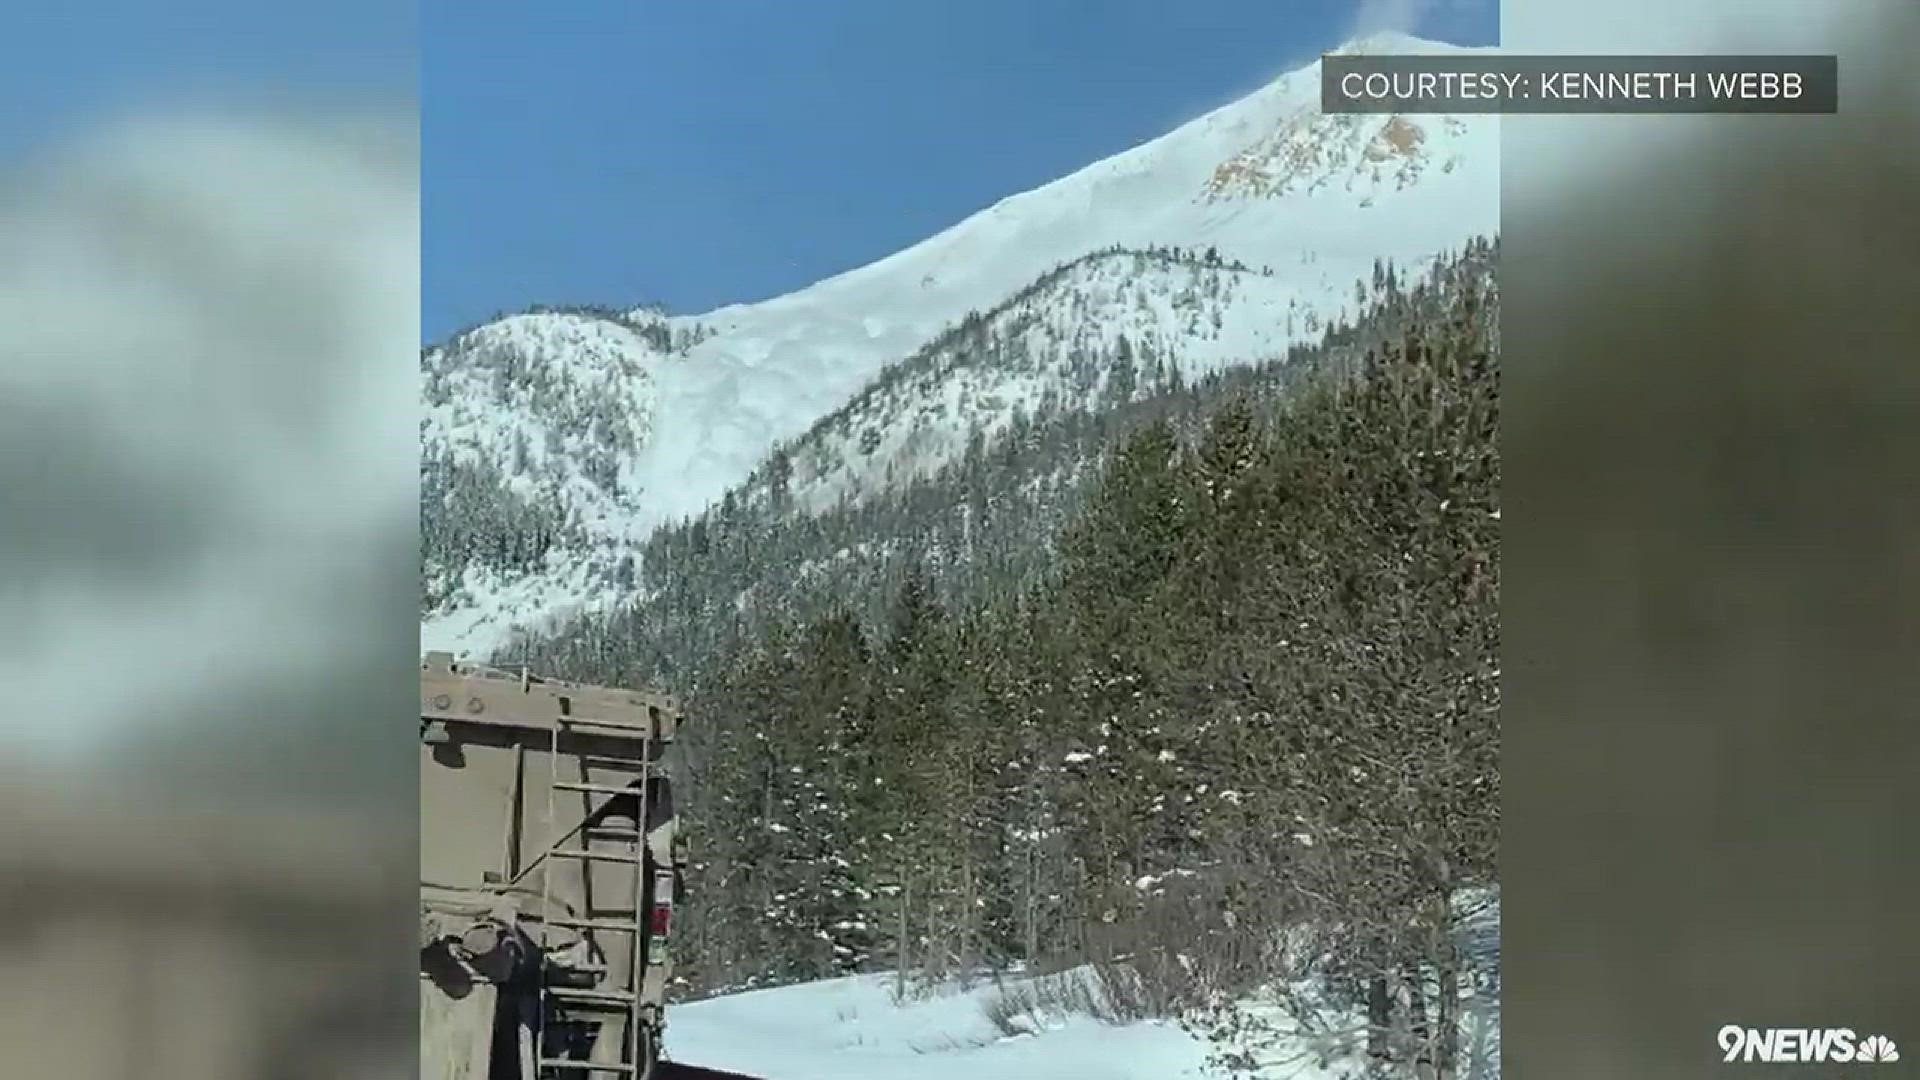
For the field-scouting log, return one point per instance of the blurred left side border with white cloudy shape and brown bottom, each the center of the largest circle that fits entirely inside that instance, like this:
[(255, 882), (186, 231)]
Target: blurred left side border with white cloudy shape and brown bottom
[(208, 539)]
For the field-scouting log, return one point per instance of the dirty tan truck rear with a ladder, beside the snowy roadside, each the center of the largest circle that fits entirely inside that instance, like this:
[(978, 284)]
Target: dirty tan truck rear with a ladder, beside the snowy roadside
[(550, 870)]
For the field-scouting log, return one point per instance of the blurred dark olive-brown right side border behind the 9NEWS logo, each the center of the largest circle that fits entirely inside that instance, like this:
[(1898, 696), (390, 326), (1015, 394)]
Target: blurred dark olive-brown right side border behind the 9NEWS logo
[(1712, 606)]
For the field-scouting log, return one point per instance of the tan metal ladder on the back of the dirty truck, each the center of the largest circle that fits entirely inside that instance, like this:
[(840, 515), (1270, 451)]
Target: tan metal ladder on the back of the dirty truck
[(604, 929)]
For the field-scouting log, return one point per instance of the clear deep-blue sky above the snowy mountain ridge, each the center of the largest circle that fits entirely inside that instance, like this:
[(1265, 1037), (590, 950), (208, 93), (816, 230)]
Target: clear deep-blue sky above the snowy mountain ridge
[(713, 151)]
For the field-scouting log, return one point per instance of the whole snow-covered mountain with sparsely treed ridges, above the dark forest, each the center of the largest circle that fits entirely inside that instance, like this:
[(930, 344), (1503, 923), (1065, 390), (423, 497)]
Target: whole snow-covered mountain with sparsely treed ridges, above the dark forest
[(1214, 245)]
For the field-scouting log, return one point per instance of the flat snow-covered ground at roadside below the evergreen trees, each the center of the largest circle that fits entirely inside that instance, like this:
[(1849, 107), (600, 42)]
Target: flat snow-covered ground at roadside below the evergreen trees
[(850, 1029)]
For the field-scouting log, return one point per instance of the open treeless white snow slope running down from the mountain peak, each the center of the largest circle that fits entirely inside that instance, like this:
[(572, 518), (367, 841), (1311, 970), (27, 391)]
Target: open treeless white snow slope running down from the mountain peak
[(1360, 187)]
